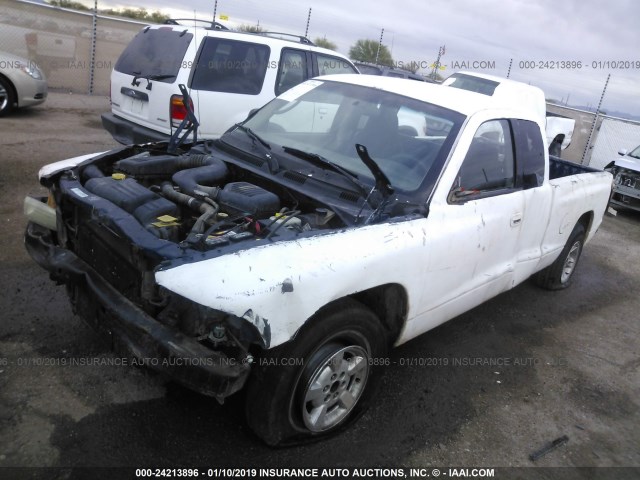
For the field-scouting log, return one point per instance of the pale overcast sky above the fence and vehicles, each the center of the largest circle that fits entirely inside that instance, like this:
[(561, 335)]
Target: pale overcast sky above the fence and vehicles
[(566, 47)]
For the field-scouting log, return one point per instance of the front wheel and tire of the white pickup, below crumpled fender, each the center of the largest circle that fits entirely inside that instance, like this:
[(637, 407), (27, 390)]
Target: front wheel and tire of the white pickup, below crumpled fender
[(330, 385)]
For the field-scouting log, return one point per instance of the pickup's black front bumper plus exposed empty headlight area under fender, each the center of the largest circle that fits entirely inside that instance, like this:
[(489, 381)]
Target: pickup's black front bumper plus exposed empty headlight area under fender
[(205, 350)]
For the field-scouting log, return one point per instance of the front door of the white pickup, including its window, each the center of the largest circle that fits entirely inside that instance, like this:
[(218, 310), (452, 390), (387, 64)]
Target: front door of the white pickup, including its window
[(474, 232)]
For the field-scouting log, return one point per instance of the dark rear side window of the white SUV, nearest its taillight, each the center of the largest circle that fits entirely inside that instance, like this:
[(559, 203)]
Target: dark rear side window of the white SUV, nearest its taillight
[(230, 66)]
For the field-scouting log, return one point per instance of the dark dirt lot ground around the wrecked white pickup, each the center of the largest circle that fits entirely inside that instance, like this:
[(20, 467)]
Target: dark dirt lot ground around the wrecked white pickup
[(485, 390)]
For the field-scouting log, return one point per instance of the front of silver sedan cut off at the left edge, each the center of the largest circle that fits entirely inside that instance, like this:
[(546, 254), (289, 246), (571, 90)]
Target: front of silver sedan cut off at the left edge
[(22, 83)]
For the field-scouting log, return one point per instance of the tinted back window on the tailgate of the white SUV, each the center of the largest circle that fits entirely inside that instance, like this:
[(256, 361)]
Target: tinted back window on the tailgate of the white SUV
[(157, 52)]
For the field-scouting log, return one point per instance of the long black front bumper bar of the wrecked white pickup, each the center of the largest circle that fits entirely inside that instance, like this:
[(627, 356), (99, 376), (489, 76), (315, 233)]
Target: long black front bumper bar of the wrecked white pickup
[(131, 329)]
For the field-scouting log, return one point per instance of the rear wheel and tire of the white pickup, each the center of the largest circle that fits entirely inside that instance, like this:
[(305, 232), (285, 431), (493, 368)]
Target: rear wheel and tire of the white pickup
[(559, 274)]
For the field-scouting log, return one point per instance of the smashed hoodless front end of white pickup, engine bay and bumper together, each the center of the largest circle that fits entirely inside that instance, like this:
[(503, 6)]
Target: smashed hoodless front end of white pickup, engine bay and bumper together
[(113, 221)]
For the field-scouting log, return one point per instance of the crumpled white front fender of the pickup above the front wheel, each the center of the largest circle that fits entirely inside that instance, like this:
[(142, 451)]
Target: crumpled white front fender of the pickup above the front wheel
[(278, 287)]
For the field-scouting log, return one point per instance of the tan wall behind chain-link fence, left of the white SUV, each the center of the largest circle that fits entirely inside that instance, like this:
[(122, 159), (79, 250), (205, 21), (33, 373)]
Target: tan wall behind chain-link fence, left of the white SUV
[(76, 53)]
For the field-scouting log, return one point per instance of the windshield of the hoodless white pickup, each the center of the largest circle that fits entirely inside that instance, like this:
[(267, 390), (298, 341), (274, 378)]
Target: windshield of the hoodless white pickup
[(404, 137)]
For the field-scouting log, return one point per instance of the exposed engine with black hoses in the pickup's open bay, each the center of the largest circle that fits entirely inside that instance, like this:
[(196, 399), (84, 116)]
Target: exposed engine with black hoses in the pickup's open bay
[(200, 201)]
